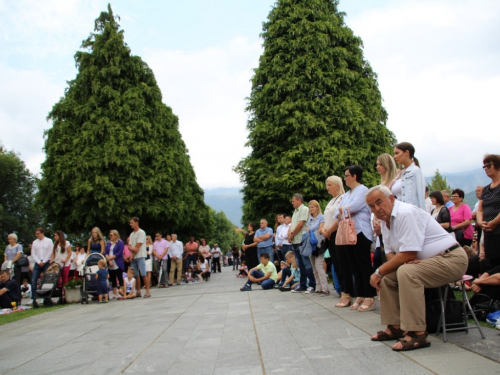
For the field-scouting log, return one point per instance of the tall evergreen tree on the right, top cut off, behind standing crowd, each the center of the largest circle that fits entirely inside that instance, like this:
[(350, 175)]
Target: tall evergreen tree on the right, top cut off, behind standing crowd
[(315, 107)]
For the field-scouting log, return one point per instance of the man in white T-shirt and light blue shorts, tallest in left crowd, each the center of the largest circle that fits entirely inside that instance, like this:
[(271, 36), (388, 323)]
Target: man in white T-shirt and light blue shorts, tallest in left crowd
[(137, 247)]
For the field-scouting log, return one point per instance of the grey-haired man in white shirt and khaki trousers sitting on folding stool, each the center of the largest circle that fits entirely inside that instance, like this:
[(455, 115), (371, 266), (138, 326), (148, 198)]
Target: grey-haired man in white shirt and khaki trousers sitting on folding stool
[(420, 254)]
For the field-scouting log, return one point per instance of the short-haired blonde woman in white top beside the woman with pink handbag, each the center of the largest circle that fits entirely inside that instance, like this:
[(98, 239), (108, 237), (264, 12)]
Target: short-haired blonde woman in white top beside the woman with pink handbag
[(335, 188)]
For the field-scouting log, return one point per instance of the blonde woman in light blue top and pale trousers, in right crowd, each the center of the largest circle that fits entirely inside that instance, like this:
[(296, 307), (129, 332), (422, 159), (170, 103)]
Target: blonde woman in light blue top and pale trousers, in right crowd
[(315, 226)]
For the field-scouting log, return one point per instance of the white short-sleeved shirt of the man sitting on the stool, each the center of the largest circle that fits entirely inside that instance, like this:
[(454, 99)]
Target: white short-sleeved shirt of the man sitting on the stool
[(413, 229)]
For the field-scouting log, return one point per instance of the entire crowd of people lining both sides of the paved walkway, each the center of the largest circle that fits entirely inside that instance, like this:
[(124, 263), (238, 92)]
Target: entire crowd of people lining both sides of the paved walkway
[(389, 242)]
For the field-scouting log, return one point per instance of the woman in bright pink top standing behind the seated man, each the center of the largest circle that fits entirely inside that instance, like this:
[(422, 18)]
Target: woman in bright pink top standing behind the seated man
[(461, 218)]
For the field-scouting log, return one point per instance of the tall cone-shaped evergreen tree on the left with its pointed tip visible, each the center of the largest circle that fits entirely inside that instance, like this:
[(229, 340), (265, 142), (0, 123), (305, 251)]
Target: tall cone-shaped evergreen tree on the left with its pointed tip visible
[(115, 150)]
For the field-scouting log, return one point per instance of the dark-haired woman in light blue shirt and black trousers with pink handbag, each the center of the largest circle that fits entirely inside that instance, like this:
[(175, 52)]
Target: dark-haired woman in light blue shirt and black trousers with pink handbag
[(353, 243)]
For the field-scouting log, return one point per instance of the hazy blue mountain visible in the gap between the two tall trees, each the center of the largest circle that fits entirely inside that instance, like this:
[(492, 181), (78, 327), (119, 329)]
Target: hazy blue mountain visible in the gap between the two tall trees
[(229, 200)]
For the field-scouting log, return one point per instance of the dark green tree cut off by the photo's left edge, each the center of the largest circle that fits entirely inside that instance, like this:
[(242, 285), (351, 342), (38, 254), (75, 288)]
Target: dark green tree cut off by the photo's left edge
[(18, 212)]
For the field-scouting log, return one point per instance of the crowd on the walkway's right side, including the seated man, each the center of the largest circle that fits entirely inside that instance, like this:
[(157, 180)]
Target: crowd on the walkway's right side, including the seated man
[(406, 239)]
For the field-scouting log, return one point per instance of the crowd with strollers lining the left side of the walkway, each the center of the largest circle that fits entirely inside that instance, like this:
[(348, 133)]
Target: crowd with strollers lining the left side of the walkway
[(128, 268)]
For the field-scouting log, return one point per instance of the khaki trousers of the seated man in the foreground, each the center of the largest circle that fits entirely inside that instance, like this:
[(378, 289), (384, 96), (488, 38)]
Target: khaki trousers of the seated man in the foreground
[(402, 301)]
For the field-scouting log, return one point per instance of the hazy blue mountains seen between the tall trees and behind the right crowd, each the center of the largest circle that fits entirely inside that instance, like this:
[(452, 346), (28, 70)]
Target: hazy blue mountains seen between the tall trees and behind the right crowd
[(230, 200)]
